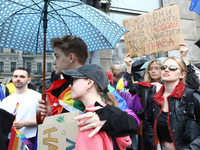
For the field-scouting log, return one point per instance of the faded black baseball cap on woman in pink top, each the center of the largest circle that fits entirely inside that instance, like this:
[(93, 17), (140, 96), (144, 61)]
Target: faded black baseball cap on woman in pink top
[(92, 71)]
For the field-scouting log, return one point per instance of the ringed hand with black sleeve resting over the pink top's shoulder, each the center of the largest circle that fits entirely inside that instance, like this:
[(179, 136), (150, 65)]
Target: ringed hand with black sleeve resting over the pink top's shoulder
[(92, 120)]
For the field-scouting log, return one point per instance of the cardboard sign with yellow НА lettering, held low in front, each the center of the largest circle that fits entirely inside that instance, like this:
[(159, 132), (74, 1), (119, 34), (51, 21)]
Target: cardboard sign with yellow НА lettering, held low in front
[(58, 132)]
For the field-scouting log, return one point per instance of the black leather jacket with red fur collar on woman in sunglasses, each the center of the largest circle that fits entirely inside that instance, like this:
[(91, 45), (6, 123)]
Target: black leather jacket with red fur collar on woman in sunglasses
[(177, 119)]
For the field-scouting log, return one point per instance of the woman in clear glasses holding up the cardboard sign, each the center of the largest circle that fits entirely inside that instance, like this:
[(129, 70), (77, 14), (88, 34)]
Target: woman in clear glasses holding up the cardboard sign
[(152, 83)]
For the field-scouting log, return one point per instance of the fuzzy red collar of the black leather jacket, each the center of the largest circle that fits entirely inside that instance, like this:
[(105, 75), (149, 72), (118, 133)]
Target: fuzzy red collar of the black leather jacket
[(177, 93)]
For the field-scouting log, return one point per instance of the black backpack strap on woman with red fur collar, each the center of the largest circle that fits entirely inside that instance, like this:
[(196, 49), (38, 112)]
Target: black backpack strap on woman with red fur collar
[(189, 99)]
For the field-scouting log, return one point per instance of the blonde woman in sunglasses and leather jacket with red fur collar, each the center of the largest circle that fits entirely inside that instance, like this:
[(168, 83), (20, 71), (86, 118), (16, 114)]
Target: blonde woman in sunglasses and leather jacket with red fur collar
[(166, 121)]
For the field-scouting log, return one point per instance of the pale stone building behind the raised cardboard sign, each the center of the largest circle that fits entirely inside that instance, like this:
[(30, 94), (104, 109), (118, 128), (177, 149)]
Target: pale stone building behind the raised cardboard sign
[(122, 9)]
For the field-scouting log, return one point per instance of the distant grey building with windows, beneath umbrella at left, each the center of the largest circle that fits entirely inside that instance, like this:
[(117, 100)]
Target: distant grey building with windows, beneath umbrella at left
[(11, 59)]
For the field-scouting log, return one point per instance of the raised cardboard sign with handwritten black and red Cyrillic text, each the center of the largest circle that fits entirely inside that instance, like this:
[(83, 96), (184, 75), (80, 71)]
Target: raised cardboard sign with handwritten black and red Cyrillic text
[(153, 32)]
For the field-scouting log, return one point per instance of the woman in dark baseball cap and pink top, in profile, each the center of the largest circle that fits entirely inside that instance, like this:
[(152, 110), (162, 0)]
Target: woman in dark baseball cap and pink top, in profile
[(88, 83)]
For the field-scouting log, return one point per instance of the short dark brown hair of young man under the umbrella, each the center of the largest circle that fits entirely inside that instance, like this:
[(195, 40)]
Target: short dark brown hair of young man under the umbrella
[(72, 44)]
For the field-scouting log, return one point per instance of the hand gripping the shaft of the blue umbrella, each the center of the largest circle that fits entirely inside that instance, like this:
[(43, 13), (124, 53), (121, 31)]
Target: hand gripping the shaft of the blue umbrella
[(44, 107)]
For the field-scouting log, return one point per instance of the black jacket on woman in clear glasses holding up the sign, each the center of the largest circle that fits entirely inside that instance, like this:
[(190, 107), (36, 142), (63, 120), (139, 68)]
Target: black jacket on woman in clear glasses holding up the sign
[(147, 92)]
